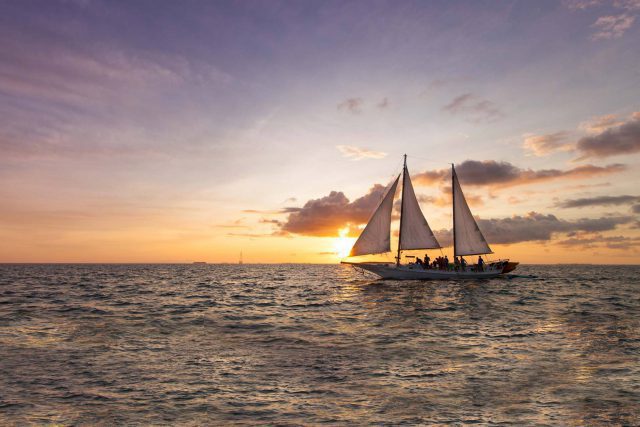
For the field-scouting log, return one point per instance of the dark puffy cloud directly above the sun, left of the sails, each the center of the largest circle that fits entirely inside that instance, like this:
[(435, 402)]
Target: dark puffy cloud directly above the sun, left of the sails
[(325, 216)]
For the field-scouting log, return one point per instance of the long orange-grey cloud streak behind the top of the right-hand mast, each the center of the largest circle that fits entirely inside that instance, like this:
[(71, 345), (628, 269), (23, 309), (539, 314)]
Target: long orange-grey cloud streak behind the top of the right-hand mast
[(505, 174)]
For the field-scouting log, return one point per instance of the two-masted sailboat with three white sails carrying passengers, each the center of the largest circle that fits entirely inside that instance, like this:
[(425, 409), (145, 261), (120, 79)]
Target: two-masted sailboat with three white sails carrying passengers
[(415, 234)]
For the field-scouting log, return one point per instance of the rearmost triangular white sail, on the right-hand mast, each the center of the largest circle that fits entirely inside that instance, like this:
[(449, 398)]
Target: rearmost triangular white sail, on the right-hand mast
[(467, 237)]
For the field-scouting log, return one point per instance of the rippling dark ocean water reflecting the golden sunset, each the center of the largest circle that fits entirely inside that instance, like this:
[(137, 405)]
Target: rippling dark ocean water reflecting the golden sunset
[(316, 344)]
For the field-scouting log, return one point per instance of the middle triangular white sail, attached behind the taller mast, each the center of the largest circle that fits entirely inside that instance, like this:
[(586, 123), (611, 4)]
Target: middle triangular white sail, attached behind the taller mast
[(415, 232)]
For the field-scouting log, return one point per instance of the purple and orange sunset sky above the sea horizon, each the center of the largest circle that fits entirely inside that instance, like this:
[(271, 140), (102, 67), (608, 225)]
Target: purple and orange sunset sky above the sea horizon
[(157, 131)]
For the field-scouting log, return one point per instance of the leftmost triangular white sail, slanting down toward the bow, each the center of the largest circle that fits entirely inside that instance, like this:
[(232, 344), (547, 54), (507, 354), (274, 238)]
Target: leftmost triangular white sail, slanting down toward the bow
[(376, 236)]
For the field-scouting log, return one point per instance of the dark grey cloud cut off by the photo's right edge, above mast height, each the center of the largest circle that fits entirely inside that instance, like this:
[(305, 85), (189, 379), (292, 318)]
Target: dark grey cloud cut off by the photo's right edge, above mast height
[(623, 139)]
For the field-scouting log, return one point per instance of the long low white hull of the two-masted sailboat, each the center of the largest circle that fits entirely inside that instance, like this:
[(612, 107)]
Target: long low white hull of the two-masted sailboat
[(416, 272)]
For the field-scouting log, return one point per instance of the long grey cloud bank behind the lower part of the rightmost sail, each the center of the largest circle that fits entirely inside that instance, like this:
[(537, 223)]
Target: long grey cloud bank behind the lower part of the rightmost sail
[(536, 226)]
